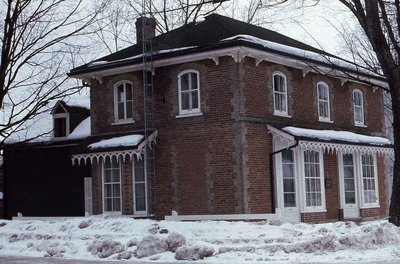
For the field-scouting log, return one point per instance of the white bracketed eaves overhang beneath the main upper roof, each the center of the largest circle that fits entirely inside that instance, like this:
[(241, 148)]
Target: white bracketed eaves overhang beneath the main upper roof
[(238, 50)]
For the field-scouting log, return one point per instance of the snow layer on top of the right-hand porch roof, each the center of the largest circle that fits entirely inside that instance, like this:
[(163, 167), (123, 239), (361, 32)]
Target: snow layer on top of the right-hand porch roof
[(336, 135)]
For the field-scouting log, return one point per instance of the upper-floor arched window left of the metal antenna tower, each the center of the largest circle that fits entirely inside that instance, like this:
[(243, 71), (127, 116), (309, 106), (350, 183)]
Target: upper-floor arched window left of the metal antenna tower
[(123, 101)]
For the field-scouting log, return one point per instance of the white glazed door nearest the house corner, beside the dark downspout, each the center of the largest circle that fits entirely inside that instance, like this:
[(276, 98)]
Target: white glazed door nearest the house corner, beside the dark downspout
[(287, 186)]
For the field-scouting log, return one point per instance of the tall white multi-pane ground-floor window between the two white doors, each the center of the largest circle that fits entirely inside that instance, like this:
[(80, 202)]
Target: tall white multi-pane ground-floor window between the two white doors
[(313, 179)]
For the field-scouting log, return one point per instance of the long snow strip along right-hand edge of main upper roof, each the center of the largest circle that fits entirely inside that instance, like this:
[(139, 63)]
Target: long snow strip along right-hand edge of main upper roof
[(303, 53)]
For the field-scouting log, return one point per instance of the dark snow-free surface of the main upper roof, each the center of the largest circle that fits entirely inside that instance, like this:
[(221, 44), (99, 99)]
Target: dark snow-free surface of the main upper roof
[(201, 36)]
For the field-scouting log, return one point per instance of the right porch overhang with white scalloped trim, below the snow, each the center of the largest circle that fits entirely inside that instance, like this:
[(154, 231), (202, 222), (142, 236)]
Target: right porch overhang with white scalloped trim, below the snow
[(308, 143)]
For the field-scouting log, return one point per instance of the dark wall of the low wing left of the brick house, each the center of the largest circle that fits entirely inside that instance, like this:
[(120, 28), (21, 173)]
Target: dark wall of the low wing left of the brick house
[(41, 181)]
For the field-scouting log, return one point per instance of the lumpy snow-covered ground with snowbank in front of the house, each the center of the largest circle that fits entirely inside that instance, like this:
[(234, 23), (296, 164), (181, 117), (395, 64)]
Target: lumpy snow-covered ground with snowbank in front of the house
[(109, 238)]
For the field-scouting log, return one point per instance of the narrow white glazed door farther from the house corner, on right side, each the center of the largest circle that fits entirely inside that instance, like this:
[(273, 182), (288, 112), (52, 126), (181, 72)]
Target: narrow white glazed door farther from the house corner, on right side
[(349, 188)]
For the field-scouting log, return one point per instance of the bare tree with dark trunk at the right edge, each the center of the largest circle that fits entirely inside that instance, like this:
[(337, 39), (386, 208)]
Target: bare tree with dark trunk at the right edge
[(380, 22)]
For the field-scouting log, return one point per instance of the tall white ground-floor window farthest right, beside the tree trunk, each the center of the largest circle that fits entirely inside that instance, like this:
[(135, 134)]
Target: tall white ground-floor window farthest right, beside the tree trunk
[(368, 179)]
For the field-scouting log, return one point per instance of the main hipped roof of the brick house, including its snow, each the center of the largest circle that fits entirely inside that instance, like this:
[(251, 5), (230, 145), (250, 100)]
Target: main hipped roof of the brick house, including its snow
[(218, 32)]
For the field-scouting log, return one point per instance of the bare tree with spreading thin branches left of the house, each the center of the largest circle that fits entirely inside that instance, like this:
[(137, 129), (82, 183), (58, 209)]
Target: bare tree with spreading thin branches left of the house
[(38, 44)]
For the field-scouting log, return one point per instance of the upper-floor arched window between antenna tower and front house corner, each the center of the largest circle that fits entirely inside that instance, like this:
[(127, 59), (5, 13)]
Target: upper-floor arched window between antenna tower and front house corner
[(189, 92)]
